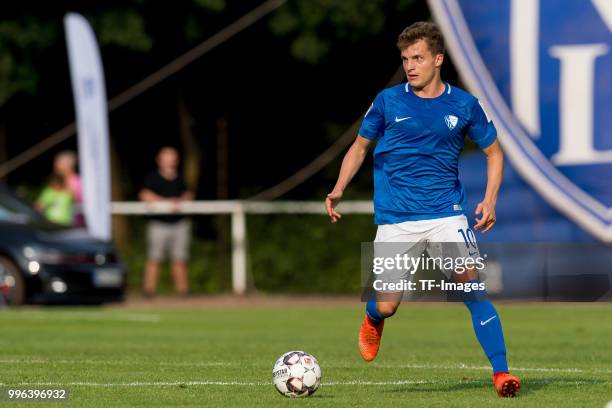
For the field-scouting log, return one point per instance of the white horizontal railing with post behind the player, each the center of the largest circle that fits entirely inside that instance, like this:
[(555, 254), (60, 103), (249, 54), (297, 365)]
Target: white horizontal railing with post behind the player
[(238, 210)]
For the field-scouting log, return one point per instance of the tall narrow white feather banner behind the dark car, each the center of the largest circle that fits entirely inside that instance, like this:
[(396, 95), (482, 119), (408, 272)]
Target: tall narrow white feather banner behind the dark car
[(88, 88)]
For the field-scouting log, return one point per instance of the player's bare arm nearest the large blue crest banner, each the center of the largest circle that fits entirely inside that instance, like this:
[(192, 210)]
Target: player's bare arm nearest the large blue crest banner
[(495, 170)]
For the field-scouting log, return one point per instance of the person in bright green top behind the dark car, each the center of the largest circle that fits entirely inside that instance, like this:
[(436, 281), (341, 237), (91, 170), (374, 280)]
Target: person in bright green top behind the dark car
[(56, 201)]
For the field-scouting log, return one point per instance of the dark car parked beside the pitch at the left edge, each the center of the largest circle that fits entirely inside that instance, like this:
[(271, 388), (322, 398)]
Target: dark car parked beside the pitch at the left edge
[(42, 262)]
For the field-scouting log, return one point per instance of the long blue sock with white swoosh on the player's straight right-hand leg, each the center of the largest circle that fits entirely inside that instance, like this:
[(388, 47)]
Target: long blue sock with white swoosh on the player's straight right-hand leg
[(487, 327)]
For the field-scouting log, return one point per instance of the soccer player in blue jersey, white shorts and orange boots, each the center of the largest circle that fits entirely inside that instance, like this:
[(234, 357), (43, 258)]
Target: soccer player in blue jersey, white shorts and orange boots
[(419, 127)]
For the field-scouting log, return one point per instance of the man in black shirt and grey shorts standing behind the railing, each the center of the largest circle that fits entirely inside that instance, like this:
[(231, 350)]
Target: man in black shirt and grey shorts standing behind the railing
[(167, 232)]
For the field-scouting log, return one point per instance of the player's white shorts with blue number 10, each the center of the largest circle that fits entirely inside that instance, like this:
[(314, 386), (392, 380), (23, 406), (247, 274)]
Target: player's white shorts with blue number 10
[(439, 238)]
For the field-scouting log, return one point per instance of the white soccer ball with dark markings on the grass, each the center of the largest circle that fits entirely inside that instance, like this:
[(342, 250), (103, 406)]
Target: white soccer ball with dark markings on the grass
[(296, 374)]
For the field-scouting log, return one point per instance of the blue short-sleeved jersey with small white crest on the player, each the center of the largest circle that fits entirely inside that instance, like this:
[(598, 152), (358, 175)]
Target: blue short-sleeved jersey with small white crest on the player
[(417, 153)]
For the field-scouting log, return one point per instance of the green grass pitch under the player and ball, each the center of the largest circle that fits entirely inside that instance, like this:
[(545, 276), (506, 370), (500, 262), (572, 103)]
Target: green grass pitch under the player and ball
[(223, 357)]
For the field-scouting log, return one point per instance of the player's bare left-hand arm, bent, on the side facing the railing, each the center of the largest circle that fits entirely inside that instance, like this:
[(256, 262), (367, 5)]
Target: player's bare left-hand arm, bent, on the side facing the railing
[(350, 164)]
